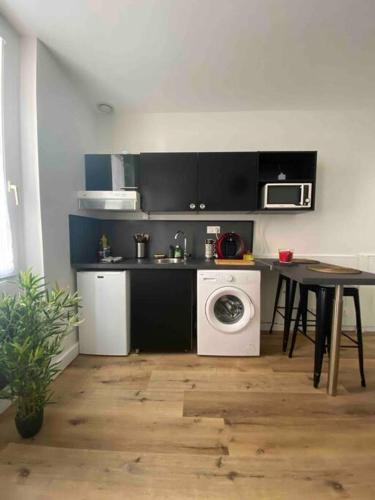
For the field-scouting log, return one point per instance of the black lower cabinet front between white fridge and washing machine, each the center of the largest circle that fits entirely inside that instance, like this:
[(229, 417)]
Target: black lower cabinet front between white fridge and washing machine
[(162, 310)]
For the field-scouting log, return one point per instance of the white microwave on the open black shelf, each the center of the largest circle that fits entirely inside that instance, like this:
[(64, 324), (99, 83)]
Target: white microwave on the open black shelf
[(287, 195)]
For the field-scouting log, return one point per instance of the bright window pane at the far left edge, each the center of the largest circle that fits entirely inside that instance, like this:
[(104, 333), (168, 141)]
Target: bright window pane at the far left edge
[(7, 266)]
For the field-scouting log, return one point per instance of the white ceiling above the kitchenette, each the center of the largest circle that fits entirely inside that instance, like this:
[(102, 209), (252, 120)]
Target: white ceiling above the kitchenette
[(210, 55)]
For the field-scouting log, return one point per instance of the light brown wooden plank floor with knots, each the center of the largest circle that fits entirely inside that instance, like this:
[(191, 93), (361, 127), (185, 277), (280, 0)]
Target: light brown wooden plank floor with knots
[(182, 426)]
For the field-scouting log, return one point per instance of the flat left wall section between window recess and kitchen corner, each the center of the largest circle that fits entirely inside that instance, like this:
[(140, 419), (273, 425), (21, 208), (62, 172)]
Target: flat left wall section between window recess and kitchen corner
[(66, 131)]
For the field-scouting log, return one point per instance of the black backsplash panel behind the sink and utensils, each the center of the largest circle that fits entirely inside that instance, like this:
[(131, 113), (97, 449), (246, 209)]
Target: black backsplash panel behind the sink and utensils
[(86, 232)]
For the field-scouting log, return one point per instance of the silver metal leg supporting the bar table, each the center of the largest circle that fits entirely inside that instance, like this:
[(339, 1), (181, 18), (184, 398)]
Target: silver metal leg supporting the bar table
[(335, 342)]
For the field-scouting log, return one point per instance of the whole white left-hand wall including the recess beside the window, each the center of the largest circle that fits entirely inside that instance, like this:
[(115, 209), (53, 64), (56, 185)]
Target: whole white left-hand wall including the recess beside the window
[(48, 127)]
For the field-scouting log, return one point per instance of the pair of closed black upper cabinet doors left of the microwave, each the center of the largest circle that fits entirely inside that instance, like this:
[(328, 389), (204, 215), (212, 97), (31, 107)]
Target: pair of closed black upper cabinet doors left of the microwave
[(198, 181)]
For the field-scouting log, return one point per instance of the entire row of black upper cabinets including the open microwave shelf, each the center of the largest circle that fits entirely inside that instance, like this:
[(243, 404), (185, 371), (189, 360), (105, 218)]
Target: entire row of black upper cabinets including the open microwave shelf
[(191, 182)]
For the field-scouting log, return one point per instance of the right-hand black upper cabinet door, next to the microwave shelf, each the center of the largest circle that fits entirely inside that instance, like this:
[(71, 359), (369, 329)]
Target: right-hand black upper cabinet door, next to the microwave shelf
[(227, 181)]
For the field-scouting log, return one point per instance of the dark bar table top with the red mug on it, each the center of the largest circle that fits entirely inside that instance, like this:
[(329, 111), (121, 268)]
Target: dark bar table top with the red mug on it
[(301, 274)]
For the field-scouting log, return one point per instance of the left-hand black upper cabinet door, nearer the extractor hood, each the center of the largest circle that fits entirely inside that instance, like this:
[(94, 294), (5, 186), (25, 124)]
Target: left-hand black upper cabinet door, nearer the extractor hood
[(168, 181)]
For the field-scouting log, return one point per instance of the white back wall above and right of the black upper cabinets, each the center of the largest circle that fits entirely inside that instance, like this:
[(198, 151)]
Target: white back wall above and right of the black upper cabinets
[(343, 224)]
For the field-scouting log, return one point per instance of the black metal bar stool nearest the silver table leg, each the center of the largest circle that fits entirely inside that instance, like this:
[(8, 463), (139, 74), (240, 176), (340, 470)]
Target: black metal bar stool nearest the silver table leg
[(324, 309)]
